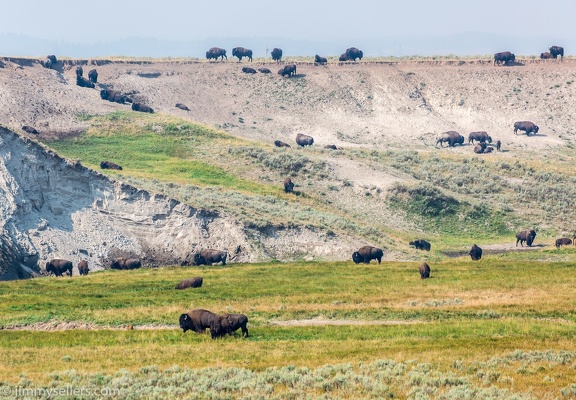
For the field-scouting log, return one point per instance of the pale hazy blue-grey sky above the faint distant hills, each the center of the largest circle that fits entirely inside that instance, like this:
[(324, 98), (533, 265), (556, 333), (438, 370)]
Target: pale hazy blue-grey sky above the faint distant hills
[(99, 21)]
